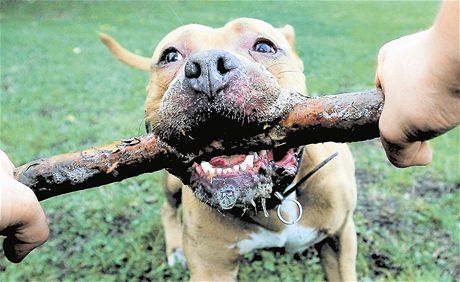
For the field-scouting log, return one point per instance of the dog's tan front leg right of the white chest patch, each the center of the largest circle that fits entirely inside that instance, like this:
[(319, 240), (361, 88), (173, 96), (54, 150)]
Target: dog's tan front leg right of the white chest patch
[(338, 254)]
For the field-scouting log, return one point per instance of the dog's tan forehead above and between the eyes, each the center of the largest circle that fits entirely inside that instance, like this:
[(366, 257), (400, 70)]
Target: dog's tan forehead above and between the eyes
[(237, 35)]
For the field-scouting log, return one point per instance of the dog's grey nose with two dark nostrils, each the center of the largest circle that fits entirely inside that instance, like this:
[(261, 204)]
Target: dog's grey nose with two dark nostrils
[(208, 72)]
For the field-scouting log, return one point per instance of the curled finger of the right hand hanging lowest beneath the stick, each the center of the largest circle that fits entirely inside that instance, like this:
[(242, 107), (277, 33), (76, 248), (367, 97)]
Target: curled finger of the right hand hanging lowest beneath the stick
[(409, 154)]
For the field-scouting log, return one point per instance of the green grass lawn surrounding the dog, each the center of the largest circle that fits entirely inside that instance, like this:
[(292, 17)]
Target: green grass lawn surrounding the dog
[(54, 101)]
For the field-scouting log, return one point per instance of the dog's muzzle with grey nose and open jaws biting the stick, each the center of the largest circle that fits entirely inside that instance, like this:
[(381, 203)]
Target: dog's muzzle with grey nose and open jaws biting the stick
[(220, 97)]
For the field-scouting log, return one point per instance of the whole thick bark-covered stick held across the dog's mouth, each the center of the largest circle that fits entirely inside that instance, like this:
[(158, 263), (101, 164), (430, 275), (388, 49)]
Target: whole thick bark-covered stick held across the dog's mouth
[(346, 117)]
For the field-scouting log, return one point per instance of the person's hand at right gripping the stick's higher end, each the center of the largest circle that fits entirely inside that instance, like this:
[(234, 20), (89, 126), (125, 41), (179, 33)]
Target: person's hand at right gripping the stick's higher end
[(420, 78)]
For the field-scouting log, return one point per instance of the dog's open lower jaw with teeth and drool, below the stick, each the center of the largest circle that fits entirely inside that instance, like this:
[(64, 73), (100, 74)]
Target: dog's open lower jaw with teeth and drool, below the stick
[(244, 180)]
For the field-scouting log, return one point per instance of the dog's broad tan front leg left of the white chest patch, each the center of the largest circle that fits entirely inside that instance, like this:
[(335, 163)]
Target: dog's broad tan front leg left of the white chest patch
[(209, 240)]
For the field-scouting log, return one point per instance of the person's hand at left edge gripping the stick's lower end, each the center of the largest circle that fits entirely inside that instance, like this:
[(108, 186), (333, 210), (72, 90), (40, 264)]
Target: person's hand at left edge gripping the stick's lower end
[(22, 219)]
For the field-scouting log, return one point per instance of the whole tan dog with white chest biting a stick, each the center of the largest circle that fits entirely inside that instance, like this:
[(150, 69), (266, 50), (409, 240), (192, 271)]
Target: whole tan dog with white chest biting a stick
[(224, 76)]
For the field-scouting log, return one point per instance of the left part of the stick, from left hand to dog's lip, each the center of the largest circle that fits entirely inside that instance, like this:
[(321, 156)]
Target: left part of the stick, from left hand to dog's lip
[(93, 167)]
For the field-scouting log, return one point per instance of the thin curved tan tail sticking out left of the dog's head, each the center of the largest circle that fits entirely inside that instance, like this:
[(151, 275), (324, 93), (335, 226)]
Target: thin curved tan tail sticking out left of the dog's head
[(125, 56)]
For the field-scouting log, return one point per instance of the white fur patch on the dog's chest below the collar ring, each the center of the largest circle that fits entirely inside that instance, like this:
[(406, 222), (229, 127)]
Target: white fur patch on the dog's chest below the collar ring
[(294, 238)]
